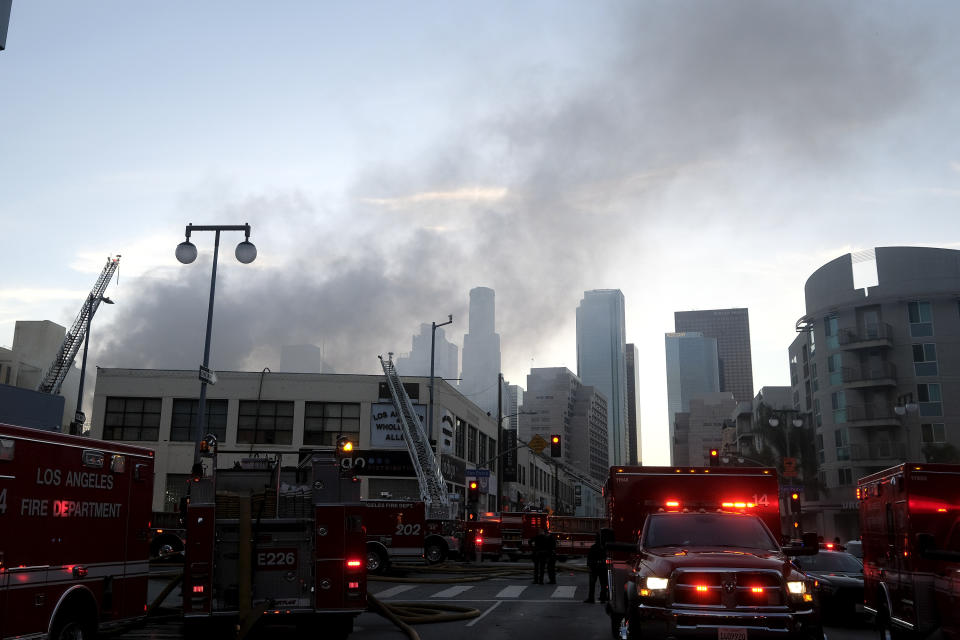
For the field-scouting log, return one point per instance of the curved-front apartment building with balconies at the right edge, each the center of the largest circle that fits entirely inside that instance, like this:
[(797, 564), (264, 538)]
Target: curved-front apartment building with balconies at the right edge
[(878, 368)]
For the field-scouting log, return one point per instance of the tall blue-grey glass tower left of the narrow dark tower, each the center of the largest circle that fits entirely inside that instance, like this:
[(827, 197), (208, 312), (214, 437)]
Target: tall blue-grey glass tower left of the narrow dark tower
[(601, 361)]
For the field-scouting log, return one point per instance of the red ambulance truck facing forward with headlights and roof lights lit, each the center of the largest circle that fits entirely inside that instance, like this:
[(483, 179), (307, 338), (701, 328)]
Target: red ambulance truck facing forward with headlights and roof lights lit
[(696, 553)]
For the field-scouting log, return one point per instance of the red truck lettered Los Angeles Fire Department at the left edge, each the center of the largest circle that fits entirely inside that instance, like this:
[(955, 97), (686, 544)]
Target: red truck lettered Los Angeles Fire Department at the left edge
[(74, 517)]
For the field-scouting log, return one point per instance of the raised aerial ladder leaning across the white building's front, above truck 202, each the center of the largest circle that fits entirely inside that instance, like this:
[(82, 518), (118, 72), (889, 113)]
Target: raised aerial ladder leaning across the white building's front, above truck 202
[(433, 489)]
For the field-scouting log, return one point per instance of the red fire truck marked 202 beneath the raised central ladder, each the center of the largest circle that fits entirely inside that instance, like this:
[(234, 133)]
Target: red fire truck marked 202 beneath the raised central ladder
[(399, 530)]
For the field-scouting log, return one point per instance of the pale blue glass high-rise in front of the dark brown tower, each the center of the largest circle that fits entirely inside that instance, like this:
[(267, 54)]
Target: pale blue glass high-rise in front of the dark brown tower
[(692, 370)]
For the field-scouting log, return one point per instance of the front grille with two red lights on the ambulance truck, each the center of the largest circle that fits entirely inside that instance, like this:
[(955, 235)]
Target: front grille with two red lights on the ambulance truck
[(728, 589)]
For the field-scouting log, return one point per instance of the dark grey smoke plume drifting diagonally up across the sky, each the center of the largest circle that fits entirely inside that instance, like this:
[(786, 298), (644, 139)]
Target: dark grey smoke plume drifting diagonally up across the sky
[(587, 165)]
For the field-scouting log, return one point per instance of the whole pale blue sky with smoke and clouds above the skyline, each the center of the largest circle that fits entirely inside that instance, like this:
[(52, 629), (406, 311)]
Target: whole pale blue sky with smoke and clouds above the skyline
[(391, 156)]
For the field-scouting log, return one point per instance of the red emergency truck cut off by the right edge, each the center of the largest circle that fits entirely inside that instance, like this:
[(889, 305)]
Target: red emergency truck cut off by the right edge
[(910, 528)]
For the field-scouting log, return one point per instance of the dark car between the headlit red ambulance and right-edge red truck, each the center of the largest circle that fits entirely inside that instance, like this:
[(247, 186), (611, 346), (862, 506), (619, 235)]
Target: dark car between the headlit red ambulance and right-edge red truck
[(840, 575)]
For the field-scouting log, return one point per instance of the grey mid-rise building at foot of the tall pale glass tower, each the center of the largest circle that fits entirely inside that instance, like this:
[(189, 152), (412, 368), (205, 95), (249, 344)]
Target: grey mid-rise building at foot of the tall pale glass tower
[(557, 403)]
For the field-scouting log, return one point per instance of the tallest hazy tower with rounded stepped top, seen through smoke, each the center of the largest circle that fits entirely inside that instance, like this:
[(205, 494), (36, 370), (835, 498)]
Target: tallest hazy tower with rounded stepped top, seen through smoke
[(481, 352)]
